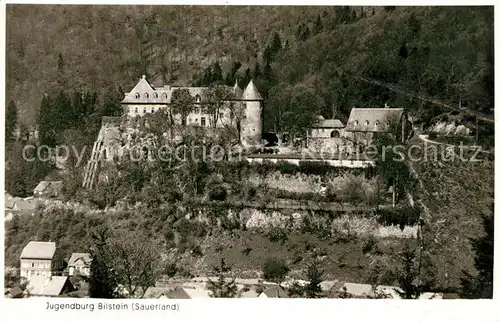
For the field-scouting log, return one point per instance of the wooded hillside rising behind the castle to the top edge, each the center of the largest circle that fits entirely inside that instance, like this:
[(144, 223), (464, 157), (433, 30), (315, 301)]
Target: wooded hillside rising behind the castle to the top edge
[(301, 57)]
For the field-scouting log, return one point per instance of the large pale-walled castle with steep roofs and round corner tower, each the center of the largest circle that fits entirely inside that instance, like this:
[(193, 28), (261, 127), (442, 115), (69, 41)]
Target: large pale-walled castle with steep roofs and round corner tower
[(144, 98)]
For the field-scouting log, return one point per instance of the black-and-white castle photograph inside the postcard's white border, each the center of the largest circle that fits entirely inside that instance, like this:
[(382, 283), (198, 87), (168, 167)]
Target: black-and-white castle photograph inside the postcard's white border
[(225, 151)]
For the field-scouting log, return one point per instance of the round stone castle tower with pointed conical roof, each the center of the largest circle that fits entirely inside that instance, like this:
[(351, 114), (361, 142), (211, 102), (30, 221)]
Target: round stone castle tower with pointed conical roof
[(251, 128)]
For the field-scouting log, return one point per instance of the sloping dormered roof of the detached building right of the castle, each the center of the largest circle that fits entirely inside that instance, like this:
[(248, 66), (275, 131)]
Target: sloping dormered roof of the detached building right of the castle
[(372, 119)]
